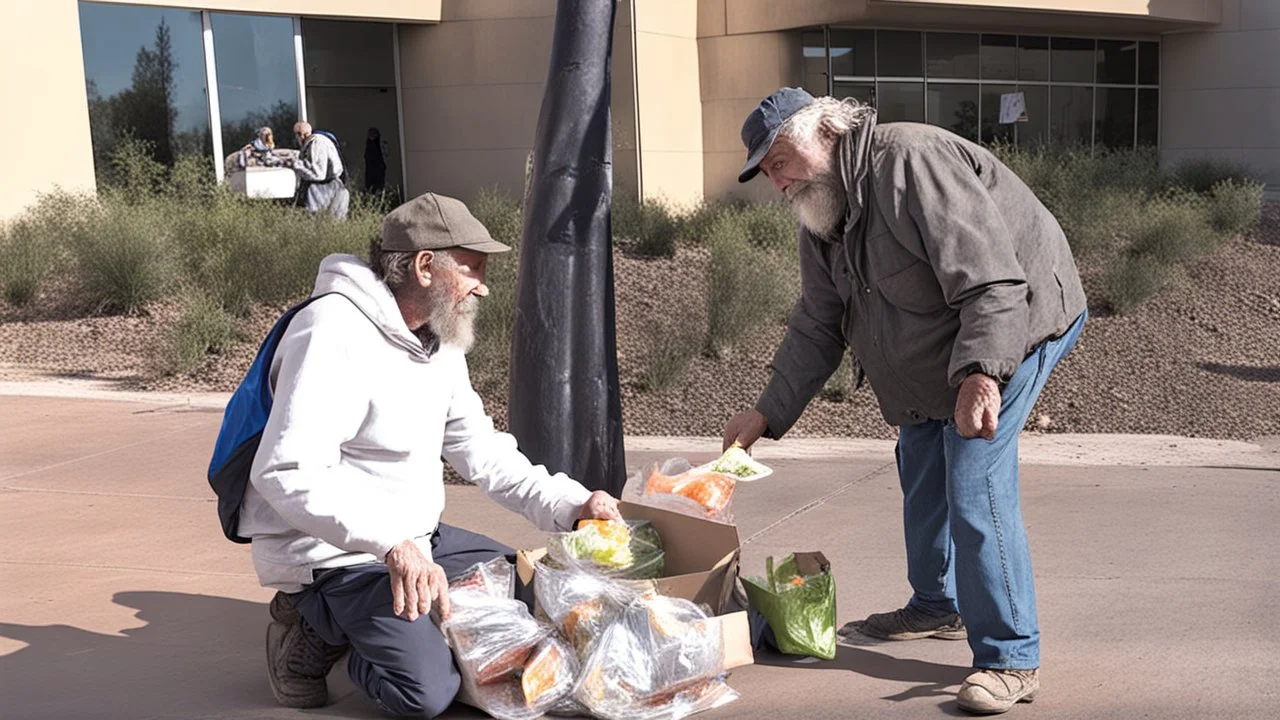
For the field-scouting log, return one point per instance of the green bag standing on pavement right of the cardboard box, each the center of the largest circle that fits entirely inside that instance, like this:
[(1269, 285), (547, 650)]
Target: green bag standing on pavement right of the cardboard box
[(798, 600)]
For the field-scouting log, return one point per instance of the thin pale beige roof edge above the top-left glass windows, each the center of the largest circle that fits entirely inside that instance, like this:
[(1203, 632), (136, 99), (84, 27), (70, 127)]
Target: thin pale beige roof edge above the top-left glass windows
[(403, 11)]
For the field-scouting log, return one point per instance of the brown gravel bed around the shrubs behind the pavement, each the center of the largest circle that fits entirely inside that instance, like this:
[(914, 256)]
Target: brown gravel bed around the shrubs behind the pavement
[(1203, 359)]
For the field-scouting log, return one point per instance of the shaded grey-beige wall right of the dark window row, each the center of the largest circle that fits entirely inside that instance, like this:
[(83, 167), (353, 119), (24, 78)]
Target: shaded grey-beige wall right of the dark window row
[(1220, 94)]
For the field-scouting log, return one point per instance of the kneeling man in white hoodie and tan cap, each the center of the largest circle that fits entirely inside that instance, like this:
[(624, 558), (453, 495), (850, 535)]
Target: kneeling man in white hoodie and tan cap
[(346, 493)]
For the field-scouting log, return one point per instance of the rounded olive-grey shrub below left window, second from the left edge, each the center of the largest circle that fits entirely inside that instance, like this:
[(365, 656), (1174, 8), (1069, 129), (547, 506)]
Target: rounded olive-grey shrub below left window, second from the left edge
[(125, 256)]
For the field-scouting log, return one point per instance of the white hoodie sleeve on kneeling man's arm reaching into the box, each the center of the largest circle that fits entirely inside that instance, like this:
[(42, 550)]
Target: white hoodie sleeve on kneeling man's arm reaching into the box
[(492, 461)]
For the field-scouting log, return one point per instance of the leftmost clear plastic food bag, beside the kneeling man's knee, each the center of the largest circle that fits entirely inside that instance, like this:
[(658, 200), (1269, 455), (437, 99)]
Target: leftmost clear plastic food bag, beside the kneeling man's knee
[(513, 667)]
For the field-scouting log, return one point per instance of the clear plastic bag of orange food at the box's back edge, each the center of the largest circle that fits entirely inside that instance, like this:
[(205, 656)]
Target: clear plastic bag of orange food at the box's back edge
[(691, 491)]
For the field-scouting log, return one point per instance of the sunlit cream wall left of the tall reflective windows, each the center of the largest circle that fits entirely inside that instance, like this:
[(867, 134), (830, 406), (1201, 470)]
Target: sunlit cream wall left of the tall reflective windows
[(49, 106)]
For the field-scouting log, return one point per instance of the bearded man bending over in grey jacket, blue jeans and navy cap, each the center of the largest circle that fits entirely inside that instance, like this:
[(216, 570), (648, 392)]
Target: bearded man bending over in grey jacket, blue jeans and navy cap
[(957, 291)]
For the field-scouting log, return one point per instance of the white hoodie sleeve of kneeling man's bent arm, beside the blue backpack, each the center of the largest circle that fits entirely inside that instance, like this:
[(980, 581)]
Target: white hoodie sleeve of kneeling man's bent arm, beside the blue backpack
[(321, 403)]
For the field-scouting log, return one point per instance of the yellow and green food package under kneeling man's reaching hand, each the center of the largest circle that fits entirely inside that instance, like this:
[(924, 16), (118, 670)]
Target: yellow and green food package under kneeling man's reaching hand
[(616, 549)]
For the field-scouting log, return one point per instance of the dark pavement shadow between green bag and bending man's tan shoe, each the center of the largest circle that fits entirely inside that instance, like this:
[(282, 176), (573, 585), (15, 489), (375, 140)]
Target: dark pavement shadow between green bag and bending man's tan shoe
[(934, 680)]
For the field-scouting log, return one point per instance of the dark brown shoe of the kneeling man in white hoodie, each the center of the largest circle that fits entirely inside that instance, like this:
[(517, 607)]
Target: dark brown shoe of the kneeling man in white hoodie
[(298, 663)]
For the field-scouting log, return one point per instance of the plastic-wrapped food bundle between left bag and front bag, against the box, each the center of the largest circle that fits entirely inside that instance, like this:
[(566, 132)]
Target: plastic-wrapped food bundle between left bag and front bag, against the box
[(582, 604)]
